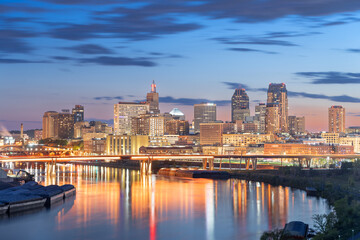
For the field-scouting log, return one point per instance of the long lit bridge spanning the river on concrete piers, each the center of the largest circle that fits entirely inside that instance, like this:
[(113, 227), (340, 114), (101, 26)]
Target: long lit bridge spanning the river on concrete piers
[(146, 161)]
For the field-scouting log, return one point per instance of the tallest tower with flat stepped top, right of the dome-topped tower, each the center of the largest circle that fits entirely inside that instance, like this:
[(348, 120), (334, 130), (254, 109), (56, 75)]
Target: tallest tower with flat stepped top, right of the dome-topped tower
[(277, 94)]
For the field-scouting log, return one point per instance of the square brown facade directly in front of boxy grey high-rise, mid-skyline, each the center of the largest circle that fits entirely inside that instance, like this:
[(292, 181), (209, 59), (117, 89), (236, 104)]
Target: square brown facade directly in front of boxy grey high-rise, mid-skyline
[(211, 133)]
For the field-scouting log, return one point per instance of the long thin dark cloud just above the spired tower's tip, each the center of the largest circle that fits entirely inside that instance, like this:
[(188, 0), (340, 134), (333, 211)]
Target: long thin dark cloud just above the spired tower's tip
[(119, 61)]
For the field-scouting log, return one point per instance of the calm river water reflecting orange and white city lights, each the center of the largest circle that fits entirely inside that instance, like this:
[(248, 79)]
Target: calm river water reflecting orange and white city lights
[(113, 203)]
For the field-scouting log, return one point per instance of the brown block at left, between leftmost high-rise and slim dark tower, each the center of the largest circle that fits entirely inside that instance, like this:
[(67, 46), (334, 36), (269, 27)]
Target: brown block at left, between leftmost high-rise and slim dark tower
[(64, 125)]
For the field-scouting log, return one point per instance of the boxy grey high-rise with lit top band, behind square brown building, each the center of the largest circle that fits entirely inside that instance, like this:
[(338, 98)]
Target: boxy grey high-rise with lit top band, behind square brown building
[(203, 113)]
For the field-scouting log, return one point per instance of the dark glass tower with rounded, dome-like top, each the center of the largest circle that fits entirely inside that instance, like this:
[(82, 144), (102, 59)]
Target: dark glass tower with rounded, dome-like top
[(239, 105)]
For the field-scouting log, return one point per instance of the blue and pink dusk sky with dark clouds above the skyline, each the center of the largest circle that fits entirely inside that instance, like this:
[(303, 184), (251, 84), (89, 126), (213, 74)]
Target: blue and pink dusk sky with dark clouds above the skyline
[(58, 53)]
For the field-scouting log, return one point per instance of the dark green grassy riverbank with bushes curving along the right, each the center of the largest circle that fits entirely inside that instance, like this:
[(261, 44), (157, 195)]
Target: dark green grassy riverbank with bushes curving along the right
[(341, 187)]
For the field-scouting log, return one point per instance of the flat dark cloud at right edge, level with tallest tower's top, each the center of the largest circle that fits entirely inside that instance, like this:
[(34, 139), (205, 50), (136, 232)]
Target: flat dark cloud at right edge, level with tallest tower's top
[(331, 77)]
